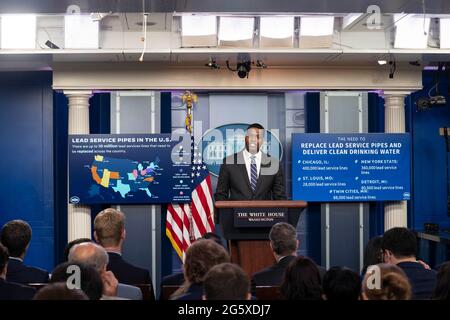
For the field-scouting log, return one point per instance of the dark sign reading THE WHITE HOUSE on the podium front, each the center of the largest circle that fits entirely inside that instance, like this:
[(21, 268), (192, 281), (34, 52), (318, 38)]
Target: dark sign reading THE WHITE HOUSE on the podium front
[(259, 217)]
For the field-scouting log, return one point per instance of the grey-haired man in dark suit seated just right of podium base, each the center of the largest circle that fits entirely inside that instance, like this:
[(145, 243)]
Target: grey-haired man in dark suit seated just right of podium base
[(284, 244)]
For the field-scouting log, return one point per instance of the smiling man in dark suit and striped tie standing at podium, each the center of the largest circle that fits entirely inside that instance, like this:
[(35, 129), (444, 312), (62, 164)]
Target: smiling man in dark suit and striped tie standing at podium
[(251, 174)]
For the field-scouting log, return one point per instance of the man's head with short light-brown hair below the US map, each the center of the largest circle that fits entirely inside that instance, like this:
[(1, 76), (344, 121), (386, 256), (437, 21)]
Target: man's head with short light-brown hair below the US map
[(109, 225)]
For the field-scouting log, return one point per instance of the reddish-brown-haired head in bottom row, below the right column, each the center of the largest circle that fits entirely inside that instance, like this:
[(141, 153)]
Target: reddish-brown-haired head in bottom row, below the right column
[(393, 283)]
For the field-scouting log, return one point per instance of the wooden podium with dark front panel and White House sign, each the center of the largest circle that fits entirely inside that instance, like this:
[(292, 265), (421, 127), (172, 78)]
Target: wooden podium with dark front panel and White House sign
[(248, 238)]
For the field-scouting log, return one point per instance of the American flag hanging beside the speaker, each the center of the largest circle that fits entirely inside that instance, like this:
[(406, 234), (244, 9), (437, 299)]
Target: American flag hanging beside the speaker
[(189, 221)]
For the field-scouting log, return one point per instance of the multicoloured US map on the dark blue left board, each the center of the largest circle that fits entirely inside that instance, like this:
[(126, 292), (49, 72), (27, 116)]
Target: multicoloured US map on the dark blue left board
[(123, 176)]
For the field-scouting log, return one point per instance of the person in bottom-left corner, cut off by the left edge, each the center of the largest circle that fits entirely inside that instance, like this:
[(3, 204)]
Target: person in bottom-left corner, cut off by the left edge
[(9, 290)]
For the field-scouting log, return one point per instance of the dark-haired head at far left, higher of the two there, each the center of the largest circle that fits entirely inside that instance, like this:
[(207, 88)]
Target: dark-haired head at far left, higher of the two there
[(16, 235)]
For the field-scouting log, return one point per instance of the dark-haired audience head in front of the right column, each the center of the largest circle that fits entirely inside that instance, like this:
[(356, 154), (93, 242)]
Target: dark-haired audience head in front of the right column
[(399, 244)]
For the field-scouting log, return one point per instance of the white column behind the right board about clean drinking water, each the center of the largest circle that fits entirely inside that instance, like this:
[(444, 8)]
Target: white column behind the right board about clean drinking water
[(395, 212)]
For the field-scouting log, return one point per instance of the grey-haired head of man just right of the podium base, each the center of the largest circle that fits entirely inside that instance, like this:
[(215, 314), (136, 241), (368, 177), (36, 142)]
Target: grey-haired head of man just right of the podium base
[(283, 238)]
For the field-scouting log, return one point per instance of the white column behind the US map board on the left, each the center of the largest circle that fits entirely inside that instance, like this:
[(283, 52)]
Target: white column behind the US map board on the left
[(78, 216)]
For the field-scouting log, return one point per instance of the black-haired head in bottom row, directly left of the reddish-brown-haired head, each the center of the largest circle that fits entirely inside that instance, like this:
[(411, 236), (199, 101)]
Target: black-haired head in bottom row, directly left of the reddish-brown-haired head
[(340, 283)]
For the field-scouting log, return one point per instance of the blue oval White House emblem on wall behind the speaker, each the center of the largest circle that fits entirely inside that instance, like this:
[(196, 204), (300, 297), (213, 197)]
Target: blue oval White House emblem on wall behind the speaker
[(220, 142)]
